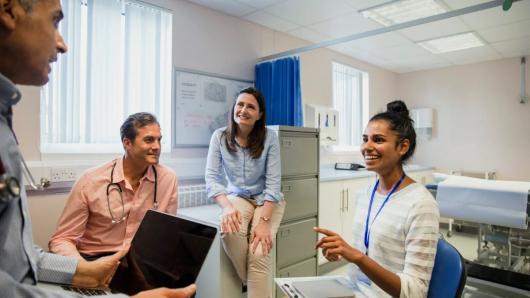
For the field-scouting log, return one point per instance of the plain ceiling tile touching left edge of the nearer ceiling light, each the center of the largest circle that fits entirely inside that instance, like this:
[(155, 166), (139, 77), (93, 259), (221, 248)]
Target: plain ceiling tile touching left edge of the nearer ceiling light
[(345, 25)]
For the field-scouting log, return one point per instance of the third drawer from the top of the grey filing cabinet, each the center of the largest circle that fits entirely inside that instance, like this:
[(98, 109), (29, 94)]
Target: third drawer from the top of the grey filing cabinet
[(295, 242)]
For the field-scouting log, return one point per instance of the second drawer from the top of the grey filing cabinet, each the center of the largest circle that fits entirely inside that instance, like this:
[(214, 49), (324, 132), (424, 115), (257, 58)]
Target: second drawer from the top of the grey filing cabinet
[(301, 196)]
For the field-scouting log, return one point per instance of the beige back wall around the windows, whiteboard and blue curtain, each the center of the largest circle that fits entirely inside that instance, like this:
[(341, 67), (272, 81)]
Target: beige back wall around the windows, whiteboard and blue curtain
[(208, 41)]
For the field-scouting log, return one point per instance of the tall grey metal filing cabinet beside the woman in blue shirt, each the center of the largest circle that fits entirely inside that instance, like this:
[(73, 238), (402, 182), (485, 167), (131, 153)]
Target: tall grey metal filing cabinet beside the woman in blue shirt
[(295, 253)]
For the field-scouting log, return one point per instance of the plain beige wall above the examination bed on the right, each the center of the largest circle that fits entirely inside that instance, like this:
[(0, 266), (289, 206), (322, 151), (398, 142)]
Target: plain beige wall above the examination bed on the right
[(479, 123)]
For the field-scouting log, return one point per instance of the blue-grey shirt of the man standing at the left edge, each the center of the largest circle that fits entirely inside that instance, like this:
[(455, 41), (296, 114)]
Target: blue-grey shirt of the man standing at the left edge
[(21, 262)]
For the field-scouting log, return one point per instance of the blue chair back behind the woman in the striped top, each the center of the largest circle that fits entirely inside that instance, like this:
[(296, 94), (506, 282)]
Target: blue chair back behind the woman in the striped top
[(449, 273)]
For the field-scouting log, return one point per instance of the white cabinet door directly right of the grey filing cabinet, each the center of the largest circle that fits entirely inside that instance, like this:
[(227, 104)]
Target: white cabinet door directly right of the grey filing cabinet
[(330, 205)]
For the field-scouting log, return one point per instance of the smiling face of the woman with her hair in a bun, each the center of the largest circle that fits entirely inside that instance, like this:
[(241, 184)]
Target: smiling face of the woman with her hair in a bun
[(380, 148)]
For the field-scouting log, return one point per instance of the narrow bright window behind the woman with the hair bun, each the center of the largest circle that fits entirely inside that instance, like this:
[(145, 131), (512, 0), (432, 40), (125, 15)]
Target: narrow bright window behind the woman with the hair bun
[(350, 98)]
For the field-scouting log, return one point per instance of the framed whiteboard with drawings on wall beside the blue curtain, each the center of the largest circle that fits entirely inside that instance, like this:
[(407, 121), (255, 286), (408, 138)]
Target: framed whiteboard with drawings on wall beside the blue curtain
[(203, 103)]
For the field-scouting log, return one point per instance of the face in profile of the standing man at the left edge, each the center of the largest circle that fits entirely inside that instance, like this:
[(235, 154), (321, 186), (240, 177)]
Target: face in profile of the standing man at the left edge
[(31, 40)]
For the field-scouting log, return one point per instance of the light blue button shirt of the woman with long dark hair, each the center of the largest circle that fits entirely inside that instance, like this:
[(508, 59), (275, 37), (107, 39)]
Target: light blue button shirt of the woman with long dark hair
[(246, 177)]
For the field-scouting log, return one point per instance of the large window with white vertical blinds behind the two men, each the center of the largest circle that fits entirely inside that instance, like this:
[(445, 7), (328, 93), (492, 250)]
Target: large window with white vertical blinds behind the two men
[(118, 63)]
